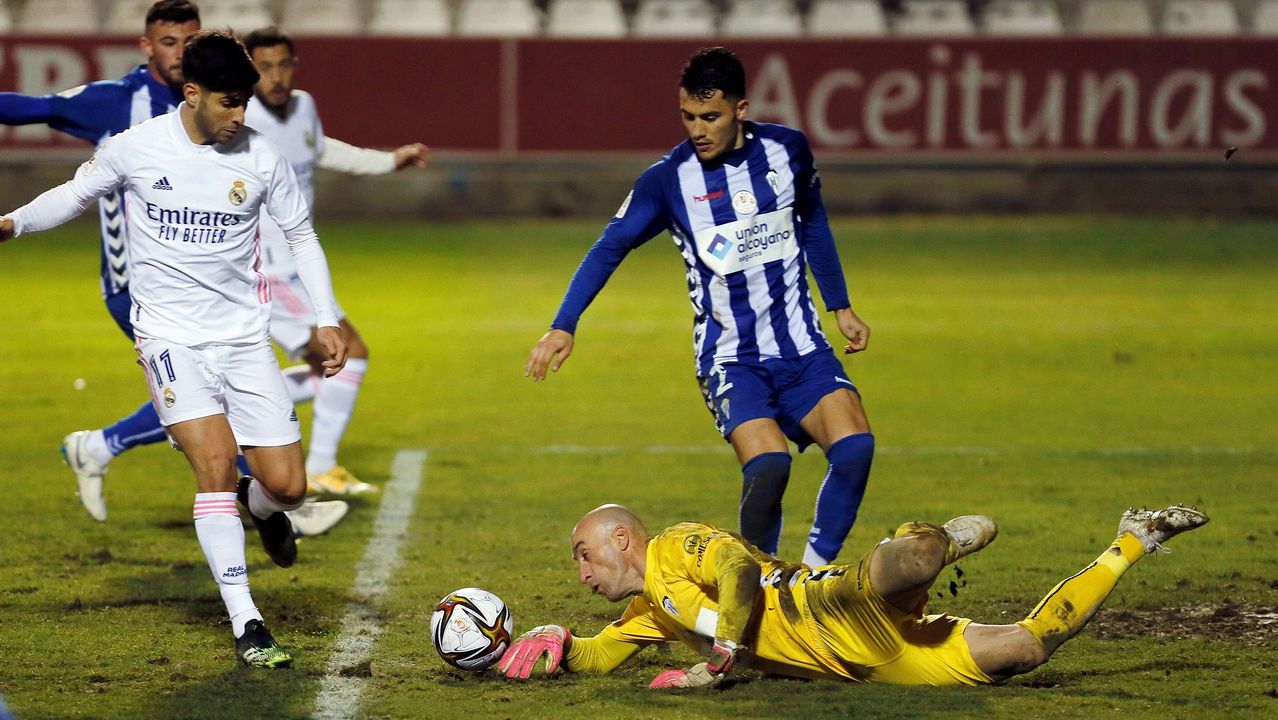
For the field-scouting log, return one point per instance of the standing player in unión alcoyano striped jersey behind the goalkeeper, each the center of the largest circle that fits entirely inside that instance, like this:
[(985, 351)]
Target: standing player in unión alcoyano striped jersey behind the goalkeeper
[(743, 204)]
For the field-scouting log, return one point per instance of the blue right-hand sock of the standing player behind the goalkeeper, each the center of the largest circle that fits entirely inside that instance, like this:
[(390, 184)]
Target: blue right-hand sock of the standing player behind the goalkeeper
[(840, 497)]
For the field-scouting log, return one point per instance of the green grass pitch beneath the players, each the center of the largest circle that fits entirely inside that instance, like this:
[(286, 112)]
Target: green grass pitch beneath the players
[(1047, 372)]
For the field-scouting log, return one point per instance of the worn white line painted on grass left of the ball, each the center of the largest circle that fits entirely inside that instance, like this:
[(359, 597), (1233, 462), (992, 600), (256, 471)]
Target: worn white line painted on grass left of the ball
[(344, 684)]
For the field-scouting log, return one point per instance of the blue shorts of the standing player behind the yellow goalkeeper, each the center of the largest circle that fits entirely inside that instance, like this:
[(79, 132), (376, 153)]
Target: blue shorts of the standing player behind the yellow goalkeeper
[(785, 391)]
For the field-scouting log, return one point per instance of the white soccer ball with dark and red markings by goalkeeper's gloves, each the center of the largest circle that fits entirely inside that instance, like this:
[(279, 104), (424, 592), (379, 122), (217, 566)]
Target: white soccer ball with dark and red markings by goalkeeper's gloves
[(471, 629)]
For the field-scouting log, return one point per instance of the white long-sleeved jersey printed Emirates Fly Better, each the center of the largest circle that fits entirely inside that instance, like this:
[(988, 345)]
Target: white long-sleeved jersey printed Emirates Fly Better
[(192, 217)]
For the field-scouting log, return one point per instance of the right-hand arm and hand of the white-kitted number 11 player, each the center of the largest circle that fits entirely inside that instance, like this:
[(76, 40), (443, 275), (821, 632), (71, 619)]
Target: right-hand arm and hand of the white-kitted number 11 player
[(287, 207)]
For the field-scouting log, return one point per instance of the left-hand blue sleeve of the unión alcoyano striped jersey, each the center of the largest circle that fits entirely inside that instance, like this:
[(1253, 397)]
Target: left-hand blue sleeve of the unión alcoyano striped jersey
[(642, 217)]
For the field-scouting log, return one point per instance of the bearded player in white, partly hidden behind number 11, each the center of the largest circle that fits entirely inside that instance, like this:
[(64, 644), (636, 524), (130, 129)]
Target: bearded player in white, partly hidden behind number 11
[(288, 117)]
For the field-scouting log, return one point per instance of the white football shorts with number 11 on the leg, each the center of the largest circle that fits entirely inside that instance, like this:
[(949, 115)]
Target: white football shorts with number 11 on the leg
[(241, 382)]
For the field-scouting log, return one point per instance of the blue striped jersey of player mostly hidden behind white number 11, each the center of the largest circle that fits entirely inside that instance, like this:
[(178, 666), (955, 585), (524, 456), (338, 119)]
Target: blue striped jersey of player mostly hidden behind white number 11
[(94, 113)]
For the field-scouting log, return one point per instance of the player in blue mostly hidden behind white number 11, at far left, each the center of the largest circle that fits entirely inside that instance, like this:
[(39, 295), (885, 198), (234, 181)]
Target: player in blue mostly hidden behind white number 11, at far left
[(95, 113)]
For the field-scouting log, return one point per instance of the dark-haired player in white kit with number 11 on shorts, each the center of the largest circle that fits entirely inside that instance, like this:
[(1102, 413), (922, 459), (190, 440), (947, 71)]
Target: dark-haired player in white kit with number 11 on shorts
[(196, 182)]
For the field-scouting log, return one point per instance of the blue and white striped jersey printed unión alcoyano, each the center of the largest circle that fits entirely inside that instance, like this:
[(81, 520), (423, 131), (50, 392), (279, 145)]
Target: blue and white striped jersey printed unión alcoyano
[(748, 227)]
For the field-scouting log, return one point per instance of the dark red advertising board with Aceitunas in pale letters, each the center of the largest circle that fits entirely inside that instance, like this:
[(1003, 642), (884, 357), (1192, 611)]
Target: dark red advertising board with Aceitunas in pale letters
[(877, 98)]
